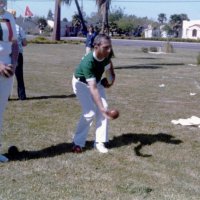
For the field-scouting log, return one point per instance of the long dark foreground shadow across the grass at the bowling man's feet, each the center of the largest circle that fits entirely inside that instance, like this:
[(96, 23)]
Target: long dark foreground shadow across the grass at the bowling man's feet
[(143, 139)]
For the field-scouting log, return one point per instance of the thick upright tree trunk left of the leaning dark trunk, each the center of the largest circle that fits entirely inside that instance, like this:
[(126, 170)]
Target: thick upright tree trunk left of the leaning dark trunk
[(56, 29)]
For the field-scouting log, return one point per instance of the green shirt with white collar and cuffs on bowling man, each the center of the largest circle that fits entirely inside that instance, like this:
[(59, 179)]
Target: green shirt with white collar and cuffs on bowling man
[(90, 68)]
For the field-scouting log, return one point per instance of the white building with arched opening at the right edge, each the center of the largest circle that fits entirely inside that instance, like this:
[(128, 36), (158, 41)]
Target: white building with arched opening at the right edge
[(191, 29)]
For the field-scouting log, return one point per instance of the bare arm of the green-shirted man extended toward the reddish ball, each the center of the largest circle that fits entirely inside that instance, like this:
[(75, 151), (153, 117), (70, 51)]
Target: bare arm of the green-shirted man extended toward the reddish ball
[(95, 94)]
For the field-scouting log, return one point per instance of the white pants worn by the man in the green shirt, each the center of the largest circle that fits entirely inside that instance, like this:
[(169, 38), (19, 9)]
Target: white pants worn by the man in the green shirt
[(89, 112)]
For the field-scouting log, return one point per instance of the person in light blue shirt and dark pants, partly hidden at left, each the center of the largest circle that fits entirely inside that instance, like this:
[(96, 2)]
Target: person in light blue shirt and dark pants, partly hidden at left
[(22, 42)]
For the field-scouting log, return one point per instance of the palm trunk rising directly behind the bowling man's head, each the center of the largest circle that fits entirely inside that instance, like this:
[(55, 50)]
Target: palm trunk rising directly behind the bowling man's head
[(103, 7)]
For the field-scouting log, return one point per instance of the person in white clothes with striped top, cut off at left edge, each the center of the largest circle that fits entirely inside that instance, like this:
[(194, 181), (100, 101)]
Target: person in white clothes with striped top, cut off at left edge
[(8, 59)]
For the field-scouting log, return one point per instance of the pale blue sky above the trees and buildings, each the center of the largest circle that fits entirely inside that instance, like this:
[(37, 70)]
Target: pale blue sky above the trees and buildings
[(139, 8)]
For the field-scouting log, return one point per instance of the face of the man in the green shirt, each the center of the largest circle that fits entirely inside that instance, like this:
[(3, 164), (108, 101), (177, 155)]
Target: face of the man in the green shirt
[(104, 48)]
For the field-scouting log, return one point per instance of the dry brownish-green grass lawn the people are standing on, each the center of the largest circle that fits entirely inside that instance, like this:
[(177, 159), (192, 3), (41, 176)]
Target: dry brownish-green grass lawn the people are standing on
[(149, 157)]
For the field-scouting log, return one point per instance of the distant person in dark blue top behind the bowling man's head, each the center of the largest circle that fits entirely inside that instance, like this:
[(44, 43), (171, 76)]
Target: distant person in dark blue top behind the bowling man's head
[(90, 39)]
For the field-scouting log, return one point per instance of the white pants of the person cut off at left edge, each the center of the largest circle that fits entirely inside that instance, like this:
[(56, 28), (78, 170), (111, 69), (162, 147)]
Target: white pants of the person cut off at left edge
[(5, 88)]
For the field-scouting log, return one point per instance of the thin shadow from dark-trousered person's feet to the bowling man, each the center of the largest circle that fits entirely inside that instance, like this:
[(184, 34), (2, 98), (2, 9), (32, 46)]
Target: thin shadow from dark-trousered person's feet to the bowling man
[(46, 97)]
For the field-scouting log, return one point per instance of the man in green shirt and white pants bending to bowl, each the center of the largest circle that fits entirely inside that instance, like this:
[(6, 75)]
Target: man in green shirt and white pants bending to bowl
[(90, 92)]
